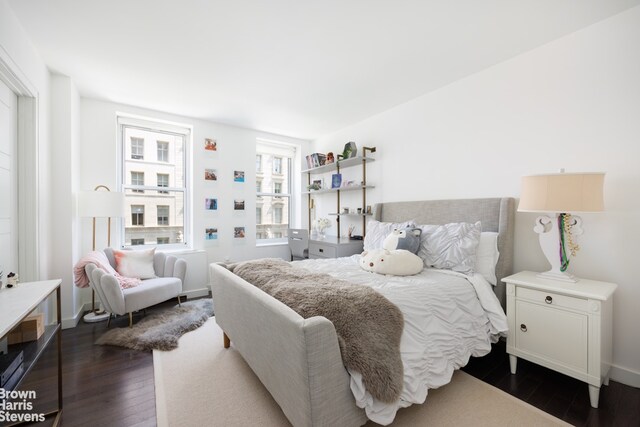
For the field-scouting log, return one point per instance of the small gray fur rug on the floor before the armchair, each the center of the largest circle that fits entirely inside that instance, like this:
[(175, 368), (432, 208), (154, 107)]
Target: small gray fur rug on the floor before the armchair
[(161, 331)]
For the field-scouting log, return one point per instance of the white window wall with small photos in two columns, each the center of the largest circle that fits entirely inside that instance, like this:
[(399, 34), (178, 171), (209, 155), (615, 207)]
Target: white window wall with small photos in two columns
[(236, 151)]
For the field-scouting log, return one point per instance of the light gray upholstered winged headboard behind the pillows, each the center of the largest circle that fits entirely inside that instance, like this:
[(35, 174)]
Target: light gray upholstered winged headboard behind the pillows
[(495, 214)]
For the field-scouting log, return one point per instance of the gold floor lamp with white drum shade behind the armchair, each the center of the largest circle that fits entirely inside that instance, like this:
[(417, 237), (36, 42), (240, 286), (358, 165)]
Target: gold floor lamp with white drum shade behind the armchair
[(100, 204)]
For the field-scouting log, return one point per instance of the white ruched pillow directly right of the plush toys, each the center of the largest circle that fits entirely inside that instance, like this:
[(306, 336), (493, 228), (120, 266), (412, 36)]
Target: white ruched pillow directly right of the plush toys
[(450, 246)]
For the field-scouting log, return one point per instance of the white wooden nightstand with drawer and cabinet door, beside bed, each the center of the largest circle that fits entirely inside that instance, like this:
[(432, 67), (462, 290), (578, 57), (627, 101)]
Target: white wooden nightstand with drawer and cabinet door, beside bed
[(564, 326)]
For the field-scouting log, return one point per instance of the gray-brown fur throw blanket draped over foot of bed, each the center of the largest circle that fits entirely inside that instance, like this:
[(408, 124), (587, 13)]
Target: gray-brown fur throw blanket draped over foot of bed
[(368, 325)]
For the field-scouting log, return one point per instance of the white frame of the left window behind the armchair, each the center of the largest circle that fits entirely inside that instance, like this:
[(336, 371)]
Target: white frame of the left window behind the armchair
[(156, 125)]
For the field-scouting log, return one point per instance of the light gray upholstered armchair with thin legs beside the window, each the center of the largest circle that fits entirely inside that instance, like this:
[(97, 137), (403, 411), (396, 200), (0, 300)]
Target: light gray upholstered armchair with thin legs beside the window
[(170, 272)]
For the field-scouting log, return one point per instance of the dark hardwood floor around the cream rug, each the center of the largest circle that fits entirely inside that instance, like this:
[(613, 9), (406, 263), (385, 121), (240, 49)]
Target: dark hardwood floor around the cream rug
[(112, 386)]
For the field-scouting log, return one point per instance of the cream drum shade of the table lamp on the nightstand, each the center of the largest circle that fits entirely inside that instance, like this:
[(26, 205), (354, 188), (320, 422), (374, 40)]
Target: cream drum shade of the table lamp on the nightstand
[(562, 193)]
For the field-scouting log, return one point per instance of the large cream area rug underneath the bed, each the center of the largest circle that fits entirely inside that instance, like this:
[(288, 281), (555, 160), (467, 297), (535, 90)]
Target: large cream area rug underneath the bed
[(216, 387)]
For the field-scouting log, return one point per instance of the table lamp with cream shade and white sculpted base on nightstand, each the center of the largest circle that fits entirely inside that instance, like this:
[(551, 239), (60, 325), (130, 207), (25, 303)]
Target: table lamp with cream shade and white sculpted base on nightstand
[(560, 194)]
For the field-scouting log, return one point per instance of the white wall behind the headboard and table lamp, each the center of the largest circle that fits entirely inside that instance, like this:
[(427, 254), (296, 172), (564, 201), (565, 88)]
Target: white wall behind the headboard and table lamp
[(573, 103)]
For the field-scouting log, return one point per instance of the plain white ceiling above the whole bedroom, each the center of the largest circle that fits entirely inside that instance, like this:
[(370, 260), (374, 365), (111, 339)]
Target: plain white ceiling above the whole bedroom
[(302, 68)]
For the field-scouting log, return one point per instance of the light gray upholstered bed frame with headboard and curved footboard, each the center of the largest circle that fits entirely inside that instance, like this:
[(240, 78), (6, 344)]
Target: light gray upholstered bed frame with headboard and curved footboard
[(299, 360)]
